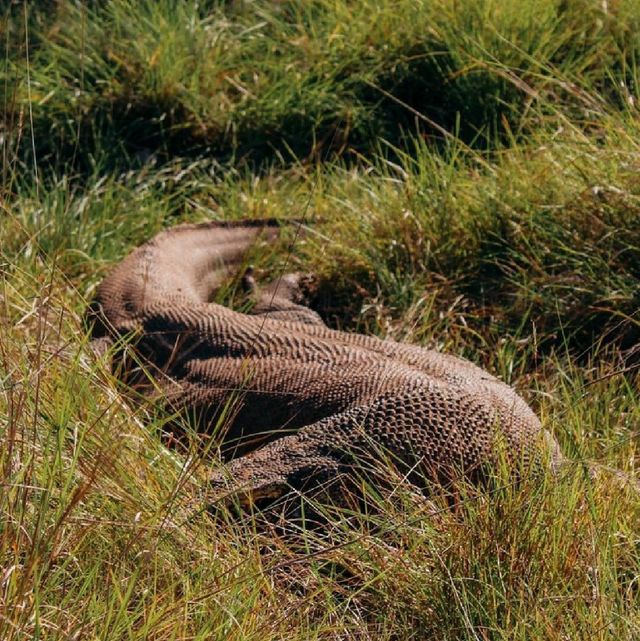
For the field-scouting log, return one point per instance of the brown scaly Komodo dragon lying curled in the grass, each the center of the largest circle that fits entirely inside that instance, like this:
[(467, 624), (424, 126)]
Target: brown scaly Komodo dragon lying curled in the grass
[(300, 401)]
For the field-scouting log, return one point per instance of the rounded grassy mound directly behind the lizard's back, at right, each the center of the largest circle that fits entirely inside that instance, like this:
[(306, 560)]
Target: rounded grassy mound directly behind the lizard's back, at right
[(540, 244)]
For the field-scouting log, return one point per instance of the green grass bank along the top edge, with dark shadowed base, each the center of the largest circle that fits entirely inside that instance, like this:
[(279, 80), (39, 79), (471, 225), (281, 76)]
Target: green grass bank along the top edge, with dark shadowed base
[(258, 78)]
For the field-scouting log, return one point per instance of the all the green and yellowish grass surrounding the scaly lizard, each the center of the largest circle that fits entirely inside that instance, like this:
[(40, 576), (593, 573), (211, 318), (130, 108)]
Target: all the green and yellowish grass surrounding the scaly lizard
[(468, 175)]
